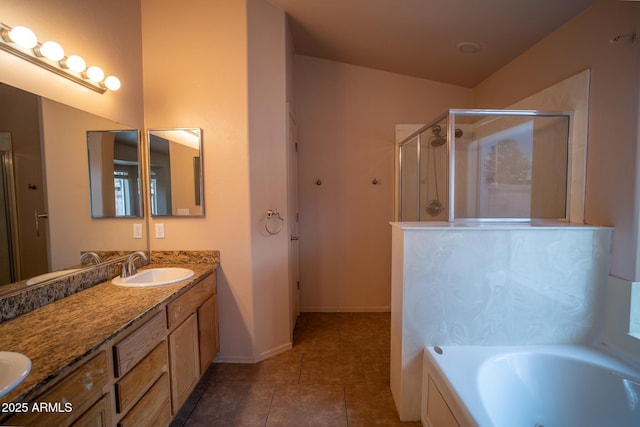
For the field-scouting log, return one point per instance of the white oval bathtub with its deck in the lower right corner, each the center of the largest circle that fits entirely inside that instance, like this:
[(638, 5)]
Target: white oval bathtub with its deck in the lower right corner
[(528, 386)]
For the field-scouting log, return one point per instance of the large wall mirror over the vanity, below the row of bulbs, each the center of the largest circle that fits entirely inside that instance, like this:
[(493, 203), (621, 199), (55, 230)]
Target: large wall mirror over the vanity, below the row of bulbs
[(48, 206)]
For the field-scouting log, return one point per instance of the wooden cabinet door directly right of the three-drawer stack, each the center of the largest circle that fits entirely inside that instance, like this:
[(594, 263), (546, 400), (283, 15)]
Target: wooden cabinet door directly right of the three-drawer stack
[(184, 359)]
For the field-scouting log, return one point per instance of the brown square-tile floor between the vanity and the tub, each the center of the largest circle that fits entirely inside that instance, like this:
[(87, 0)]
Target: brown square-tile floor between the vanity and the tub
[(336, 374)]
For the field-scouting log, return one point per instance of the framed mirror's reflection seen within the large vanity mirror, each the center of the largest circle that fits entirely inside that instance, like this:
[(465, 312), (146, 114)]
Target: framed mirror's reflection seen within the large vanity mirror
[(114, 173)]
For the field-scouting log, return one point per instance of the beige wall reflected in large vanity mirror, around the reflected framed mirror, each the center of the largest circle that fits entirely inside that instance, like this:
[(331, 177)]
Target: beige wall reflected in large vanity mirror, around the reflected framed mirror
[(72, 229)]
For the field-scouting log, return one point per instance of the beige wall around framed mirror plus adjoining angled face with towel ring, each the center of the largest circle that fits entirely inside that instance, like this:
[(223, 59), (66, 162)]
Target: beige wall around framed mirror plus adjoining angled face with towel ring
[(231, 84)]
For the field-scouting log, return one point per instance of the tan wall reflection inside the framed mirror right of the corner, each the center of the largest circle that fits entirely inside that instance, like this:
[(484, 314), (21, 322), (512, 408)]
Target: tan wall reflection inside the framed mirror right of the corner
[(182, 181)]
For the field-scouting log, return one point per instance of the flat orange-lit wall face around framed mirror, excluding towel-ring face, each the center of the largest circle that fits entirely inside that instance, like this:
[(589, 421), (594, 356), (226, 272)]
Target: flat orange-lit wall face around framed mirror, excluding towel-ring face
[(204, 84)]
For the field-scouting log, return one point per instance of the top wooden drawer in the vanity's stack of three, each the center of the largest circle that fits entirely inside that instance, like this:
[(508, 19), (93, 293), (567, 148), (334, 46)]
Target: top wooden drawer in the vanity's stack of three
[(128, 352)]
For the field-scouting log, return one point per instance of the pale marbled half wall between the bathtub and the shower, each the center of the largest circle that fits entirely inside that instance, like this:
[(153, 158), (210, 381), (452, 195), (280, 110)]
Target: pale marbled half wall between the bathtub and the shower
[(491, 284)]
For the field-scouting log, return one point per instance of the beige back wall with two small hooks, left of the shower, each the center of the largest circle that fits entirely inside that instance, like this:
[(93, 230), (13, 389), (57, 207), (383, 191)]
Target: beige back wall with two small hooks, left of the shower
[(346, 120)]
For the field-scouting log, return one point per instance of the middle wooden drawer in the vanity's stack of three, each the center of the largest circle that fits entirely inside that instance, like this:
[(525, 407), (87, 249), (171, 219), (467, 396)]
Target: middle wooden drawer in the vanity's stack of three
[(132, 385)]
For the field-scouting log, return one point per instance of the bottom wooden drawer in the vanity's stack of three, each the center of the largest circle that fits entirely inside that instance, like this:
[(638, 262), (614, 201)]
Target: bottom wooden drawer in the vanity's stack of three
[(154, 409)]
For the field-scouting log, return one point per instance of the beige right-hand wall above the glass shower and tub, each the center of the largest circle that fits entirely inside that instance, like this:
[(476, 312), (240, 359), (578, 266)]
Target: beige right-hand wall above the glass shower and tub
[(613, 110)]
